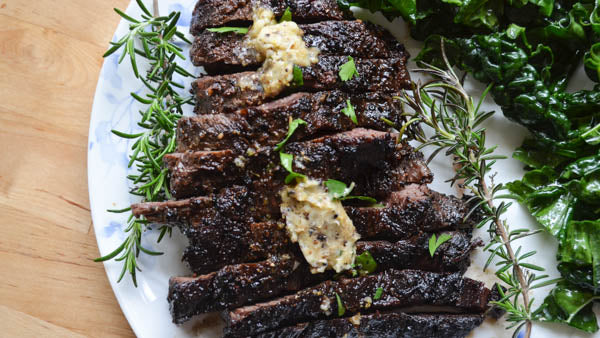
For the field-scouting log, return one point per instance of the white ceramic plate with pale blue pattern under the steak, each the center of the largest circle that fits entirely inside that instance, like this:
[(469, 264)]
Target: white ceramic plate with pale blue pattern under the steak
[(146, 307)]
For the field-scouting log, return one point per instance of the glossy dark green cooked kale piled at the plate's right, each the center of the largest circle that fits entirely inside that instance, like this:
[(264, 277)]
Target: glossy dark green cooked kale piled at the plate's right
[(528, 50)]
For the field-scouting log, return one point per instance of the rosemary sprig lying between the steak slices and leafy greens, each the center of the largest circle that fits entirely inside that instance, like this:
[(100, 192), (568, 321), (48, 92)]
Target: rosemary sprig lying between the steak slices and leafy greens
[(443, 105)]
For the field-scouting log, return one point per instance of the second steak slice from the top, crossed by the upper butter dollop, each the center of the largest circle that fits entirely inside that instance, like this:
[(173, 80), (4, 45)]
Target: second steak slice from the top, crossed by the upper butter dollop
[(219, 52)]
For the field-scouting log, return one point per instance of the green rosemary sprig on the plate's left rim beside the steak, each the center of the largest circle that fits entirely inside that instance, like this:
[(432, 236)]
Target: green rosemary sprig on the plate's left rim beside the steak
[(158, 121)]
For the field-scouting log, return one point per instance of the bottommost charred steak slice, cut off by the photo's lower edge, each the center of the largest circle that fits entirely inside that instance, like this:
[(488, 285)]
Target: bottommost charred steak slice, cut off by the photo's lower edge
[(384, 324)]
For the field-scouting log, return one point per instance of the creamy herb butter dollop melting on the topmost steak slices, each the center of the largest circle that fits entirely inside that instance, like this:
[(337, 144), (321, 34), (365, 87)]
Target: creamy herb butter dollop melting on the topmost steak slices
[(279, 46)]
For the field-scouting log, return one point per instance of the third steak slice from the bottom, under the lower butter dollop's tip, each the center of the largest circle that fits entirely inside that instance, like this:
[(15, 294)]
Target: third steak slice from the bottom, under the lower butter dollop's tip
[(241, 284)]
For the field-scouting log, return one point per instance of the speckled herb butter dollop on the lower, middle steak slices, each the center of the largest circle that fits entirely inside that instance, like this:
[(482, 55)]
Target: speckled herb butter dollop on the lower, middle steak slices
[(320, 225)]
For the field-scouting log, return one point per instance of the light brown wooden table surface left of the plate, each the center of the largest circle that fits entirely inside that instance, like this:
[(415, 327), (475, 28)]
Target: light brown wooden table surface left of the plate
[(50, 58)]
